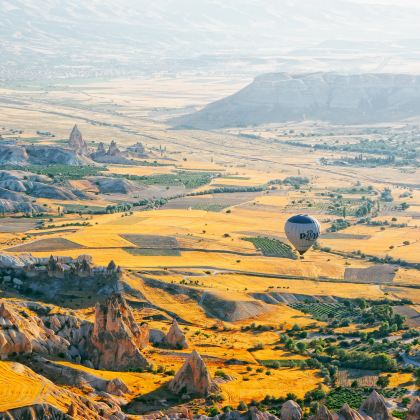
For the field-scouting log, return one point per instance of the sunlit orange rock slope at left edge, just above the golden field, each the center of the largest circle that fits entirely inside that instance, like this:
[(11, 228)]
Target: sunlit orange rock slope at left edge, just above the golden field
[(21, 332)]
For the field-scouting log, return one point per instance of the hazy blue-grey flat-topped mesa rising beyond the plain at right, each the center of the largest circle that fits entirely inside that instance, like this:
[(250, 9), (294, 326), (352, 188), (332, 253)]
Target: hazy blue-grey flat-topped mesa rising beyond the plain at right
[(333, 97)]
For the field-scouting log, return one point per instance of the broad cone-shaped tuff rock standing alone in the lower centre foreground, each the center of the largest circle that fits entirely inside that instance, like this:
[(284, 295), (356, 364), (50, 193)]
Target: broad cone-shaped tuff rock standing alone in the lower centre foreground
[(193, 378)]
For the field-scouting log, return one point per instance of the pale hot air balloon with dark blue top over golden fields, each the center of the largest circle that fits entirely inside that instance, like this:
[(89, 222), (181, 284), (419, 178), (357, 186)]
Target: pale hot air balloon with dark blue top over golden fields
[(302, 231)]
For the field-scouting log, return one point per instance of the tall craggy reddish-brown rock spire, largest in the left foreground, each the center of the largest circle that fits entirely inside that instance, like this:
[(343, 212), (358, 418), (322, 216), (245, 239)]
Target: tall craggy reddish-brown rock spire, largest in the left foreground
[(116, 339)]
